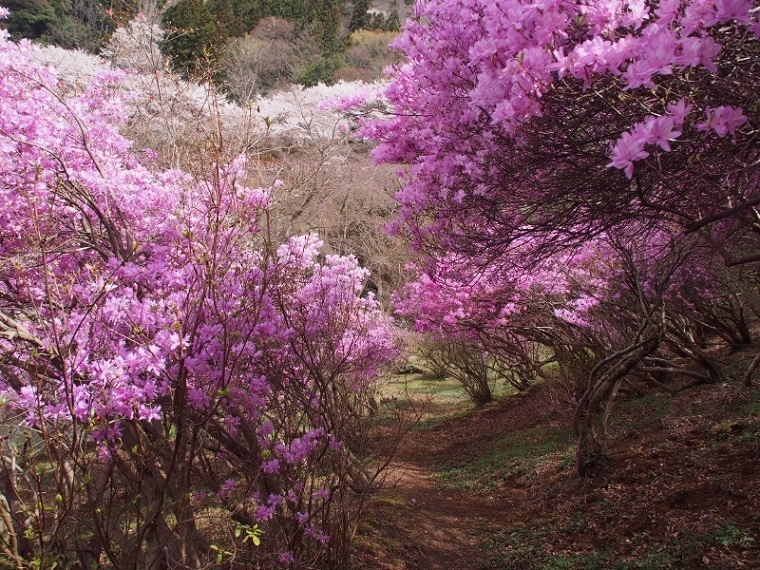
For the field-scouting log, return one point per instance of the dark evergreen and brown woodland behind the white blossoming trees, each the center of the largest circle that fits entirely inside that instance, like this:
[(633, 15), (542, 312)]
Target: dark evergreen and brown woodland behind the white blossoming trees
[(281, 42)]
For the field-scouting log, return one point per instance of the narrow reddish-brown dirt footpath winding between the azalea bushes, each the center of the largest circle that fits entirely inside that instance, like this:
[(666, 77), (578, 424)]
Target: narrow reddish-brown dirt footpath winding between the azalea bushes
[(426, 528)]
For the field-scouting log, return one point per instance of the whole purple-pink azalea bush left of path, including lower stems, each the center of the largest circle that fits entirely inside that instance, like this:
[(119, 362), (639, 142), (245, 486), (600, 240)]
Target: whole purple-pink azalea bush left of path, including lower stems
[(167, 357)]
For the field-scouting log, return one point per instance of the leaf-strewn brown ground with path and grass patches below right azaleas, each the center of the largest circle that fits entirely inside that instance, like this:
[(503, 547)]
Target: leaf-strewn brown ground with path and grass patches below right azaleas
[(496, 488)]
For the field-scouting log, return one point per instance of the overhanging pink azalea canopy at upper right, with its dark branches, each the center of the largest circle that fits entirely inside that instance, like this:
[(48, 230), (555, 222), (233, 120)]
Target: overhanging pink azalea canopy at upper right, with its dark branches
[(568, 117)]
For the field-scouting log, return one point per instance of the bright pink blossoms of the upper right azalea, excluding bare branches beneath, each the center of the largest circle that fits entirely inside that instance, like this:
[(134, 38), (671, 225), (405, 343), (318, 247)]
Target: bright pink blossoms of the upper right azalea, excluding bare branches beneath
[(479, 74)]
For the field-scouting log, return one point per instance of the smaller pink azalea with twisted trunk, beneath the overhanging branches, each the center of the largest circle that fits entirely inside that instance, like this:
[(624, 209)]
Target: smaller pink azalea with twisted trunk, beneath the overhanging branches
[(637, 308)]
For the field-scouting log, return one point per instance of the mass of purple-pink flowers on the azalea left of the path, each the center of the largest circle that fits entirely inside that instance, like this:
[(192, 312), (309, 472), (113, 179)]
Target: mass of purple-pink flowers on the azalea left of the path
[(135, 300)]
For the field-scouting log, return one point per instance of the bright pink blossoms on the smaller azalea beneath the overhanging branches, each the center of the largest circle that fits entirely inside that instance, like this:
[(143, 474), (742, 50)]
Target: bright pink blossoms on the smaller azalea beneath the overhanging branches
[(502, 307)]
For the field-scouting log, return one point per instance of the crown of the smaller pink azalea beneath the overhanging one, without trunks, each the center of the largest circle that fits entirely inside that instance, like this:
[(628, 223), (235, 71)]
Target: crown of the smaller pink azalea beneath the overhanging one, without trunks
[(587, 299)]
